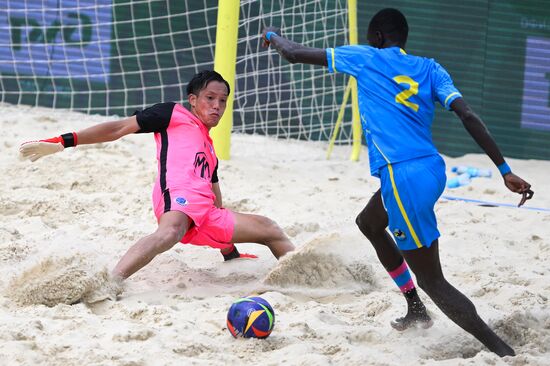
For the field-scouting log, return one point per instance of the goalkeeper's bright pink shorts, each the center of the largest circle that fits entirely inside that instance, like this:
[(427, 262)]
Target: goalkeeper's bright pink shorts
[(211, 226)]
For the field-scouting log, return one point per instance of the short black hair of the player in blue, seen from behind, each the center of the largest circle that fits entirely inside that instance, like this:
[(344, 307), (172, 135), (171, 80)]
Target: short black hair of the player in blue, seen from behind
[(391, 23)]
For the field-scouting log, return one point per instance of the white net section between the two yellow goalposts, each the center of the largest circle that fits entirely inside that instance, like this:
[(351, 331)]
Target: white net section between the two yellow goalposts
[(292, 101)]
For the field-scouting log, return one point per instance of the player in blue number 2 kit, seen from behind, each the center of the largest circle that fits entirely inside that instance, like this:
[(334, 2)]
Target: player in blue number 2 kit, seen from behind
[(397, 93)]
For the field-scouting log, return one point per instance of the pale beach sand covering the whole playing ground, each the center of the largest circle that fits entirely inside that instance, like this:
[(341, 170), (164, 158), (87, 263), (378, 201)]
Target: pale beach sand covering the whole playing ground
[(67, 219)]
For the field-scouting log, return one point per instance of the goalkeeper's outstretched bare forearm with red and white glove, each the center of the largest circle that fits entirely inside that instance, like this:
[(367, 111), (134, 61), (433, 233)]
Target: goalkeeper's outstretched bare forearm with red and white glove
[(103, 132)]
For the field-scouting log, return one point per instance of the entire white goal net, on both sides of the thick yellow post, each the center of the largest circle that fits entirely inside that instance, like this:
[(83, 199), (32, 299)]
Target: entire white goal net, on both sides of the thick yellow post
[(113, 57)]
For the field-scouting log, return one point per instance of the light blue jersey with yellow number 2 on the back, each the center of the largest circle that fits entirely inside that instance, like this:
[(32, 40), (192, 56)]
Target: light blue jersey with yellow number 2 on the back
[(397, 93)]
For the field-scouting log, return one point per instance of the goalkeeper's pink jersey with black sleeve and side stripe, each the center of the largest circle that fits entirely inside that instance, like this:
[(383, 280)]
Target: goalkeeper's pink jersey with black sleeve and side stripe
[(187, 161)]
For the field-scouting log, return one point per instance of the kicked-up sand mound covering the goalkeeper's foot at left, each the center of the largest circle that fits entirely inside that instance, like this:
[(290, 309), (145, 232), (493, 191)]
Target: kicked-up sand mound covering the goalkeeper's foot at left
[(65, 280)]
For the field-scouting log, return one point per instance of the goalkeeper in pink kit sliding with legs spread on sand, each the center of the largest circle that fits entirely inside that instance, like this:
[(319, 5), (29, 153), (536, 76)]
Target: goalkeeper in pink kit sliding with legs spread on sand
[(187, 198)]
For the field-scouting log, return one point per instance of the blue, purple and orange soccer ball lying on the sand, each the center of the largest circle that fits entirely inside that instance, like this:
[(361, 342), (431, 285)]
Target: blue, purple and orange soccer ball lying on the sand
[(250, 317)]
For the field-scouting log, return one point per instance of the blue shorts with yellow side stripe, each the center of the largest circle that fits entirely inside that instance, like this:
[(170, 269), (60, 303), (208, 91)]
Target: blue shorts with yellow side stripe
[(410, 190)]
